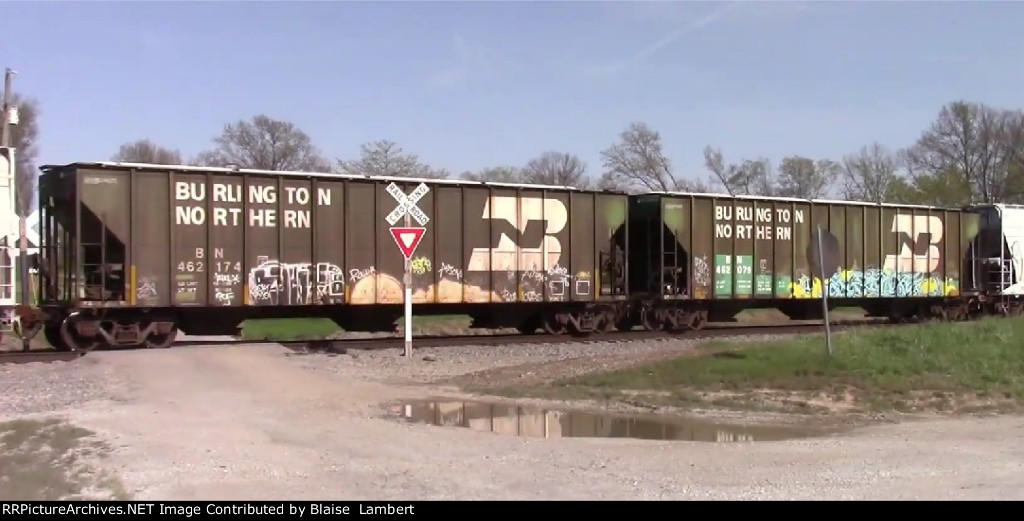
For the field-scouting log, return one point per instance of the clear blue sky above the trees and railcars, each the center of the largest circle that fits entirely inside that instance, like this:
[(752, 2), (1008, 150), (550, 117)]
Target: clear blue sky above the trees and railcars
[(466, 85)]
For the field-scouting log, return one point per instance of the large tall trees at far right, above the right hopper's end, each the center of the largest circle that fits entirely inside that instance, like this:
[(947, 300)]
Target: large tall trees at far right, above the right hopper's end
[(974, 143)]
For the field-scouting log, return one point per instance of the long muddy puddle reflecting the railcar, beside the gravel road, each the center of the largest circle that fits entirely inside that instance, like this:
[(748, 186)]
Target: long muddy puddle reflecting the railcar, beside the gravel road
[(533, 422)]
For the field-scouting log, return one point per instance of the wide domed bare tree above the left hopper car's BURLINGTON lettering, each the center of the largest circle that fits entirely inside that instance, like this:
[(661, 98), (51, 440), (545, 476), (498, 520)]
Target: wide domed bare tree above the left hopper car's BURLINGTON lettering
[(265, 144)]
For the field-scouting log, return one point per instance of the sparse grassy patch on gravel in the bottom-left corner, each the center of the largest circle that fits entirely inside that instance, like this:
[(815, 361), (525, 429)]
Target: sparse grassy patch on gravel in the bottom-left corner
[(48, 460)]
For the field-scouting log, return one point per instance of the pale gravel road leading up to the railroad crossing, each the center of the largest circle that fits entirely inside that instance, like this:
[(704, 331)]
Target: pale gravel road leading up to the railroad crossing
[(258, 422)]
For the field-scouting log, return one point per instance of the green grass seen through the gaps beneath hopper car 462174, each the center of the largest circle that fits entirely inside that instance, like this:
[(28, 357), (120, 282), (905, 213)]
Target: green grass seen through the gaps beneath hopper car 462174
[(316, 329)]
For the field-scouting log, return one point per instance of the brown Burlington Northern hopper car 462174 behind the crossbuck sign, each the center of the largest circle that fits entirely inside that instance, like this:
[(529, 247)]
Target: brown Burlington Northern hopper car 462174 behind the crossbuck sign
[(135, 253)]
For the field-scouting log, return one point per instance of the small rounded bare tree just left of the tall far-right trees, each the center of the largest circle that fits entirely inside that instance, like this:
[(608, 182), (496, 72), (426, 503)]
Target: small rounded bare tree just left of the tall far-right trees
[(873, 176)]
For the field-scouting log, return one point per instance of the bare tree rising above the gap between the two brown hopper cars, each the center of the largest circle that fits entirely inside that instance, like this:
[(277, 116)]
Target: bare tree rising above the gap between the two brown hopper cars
[(638, 162)]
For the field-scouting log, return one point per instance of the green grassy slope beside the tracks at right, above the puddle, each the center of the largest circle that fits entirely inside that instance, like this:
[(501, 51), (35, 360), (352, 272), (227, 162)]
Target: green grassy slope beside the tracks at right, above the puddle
[(976, 366)]
